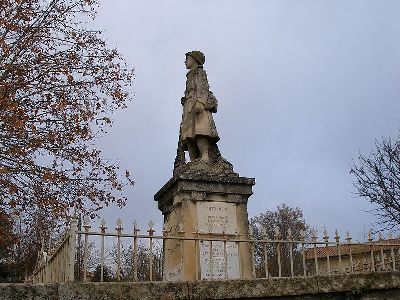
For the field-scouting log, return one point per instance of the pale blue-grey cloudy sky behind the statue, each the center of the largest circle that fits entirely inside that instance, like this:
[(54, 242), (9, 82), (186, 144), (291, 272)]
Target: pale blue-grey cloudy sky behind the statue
[(303, 86)]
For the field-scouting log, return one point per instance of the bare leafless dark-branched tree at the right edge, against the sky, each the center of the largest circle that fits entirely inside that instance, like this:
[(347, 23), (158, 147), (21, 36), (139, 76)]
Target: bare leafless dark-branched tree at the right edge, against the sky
[(377, 178)]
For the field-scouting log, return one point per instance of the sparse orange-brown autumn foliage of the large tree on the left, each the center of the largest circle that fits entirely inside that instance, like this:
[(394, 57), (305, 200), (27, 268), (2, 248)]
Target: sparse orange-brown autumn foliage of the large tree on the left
[(59, 83)]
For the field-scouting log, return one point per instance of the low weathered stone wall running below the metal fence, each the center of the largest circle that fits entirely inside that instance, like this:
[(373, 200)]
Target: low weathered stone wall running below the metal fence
[(354, 286)]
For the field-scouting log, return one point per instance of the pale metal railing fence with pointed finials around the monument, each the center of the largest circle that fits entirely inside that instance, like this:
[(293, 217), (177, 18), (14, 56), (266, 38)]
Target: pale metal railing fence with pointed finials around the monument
[(138, 257)]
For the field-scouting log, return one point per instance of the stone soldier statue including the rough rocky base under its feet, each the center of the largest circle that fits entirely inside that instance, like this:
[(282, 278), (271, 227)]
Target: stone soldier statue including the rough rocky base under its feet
[(198, 133)]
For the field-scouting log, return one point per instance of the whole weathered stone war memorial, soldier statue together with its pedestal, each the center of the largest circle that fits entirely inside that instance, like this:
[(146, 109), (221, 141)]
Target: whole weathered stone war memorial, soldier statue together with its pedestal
[(204, 196)]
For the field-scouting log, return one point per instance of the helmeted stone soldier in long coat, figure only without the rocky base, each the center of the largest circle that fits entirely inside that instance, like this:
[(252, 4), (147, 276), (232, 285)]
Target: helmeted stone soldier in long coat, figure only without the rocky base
[(198, 133)]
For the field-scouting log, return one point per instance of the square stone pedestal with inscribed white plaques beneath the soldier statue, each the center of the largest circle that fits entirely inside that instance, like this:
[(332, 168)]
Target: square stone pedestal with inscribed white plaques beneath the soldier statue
[(211, 206)]
